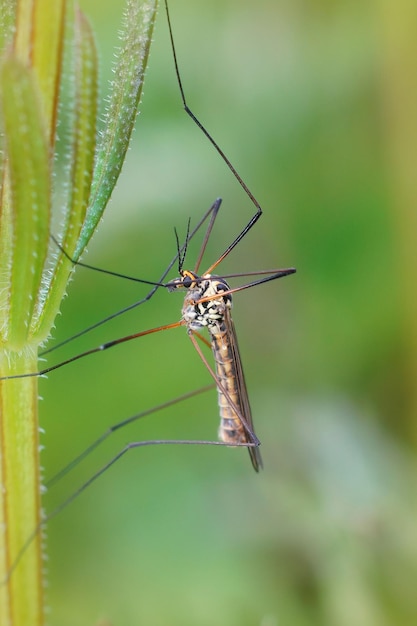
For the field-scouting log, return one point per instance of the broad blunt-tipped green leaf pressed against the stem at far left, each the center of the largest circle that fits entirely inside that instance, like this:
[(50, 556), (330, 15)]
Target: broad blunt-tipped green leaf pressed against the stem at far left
[(26, 224)]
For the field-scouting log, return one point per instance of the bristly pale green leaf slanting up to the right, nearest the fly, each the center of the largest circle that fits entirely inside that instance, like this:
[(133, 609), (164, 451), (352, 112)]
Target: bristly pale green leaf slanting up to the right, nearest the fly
[(139, 20)]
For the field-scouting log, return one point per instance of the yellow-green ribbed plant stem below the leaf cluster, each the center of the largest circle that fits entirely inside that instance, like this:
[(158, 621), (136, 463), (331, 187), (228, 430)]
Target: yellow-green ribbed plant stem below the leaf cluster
[(21, 597)]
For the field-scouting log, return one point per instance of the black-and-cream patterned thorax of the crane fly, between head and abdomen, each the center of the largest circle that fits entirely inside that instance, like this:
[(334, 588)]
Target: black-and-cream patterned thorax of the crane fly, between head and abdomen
[(209, 313)]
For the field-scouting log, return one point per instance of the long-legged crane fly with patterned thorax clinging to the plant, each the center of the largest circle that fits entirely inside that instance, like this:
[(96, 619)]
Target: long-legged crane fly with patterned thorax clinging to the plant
[(207, 304)]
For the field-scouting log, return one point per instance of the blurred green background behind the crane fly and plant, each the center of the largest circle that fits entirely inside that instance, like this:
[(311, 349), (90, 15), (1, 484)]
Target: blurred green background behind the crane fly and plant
[(315, 104)]
